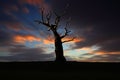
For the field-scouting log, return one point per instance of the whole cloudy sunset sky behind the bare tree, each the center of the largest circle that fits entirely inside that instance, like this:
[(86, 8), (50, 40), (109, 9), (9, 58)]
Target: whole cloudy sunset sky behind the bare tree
[(94, 23)]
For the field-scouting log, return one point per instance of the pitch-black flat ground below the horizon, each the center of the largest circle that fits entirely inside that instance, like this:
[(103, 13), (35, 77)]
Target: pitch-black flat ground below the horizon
[(60, 71)]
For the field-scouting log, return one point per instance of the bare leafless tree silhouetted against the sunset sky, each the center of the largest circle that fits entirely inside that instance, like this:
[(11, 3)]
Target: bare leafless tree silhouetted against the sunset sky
[(46, 21)]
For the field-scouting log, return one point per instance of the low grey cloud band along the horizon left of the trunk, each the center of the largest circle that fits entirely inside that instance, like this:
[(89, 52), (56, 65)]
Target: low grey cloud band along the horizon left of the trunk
[(28, 57)]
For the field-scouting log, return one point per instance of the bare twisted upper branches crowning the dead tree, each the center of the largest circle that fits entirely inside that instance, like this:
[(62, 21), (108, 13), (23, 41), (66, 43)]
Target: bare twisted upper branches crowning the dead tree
[(45, 20)]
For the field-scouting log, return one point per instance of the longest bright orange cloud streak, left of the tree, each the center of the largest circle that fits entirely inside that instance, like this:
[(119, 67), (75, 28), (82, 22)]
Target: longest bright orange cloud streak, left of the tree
[(23, 39)]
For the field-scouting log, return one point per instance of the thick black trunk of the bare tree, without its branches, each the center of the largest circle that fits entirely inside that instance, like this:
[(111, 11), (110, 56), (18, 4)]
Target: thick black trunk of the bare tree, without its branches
[(58, 48)]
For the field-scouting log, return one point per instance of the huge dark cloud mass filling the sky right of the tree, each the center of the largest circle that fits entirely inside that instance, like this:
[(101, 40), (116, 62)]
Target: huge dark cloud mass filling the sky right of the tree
[(96, 21)]
